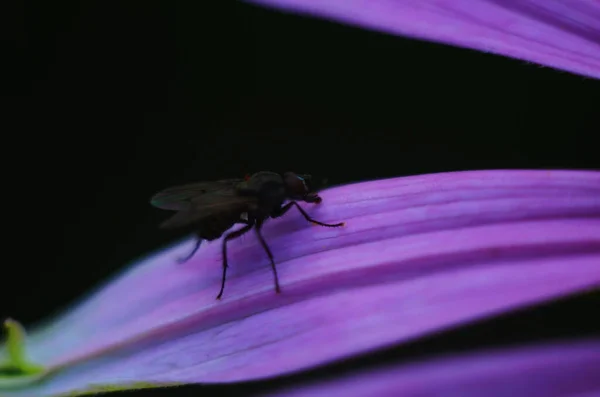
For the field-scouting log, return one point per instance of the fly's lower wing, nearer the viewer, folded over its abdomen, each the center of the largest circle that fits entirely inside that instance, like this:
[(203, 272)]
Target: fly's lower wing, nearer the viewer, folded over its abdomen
[(223, 205)]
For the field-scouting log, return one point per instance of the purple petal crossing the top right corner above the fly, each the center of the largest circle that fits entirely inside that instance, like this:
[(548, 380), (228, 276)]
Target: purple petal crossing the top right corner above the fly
[(556, 33)]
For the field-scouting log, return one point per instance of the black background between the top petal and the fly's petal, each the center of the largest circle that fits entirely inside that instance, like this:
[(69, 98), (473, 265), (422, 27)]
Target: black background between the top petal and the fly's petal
[(104, 103)]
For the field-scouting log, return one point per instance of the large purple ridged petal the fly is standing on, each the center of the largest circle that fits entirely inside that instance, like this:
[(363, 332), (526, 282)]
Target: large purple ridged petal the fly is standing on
[(420, 254)]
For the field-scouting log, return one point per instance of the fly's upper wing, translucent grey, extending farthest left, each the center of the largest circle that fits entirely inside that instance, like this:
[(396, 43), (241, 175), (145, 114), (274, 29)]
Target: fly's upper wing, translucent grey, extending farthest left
[(179, 198)]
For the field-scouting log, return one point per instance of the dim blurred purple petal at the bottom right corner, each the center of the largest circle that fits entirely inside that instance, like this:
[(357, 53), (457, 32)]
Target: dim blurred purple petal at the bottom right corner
[(545, 371)]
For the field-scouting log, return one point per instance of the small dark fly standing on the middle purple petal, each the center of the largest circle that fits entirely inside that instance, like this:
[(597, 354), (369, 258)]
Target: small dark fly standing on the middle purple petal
[(209, 209)]
